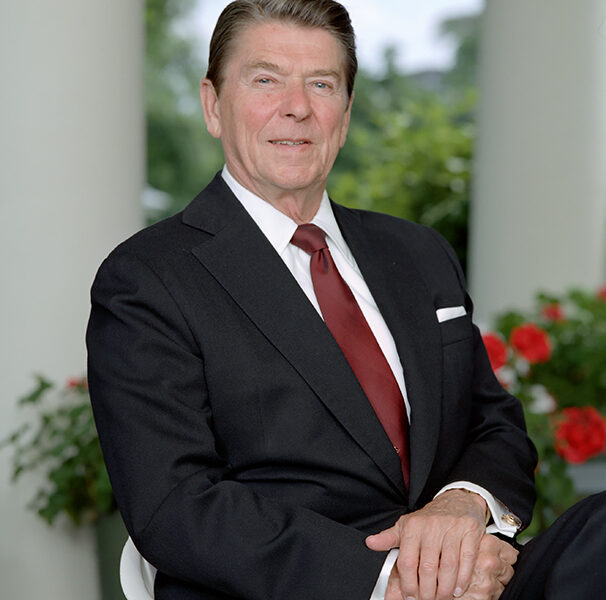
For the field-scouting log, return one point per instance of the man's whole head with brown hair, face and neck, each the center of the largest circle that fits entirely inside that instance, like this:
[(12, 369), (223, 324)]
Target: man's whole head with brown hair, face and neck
[(278, 96)]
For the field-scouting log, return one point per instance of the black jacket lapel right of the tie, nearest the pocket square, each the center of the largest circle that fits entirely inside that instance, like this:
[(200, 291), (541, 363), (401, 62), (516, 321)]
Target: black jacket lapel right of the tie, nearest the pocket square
[(408, 309)]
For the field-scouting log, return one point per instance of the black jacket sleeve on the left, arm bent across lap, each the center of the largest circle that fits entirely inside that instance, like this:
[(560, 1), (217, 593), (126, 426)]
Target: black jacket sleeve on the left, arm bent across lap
[(179, 499)]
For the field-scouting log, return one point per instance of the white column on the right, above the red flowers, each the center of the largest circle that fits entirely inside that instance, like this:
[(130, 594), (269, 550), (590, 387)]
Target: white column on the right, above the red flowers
[(539, 207)]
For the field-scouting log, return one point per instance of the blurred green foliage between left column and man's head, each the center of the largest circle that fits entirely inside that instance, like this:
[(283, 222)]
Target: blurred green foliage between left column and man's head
[(181, 156)]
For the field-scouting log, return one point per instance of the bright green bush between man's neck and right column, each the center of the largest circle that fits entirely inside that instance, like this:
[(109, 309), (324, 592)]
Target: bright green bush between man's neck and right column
[(413, 161)]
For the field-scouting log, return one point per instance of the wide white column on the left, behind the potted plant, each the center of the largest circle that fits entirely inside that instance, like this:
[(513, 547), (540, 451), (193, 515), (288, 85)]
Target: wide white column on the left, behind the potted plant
[(71, 154)]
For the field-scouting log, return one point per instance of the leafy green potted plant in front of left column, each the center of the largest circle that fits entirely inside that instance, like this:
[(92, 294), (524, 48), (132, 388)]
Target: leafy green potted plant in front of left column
[(61, 441)]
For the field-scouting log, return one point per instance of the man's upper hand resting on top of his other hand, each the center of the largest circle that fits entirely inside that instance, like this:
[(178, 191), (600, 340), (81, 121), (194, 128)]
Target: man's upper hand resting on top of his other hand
[(438, 545)]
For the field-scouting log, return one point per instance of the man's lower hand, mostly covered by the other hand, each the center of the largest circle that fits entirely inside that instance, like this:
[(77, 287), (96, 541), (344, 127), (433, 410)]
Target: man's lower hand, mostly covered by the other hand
[(493, 570)]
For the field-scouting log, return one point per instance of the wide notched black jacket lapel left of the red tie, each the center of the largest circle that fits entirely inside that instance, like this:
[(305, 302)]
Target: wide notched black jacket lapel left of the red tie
[(245, 264)]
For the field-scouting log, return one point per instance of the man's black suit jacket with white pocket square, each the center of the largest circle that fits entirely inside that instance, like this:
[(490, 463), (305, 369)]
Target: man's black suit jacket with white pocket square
[(244, 456)]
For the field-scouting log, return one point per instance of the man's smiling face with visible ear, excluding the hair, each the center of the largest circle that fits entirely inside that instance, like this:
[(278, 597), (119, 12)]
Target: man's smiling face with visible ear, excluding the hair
[(283, 111)]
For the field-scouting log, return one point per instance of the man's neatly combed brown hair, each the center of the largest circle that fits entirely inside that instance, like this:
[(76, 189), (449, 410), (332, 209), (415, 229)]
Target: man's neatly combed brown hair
[(323, 14)]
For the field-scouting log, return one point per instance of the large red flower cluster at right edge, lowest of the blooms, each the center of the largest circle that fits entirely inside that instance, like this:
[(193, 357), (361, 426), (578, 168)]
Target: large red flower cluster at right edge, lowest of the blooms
[(581, 434)]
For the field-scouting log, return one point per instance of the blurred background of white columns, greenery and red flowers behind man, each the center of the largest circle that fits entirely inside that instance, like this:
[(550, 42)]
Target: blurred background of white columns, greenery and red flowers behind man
[(483, 119)]
